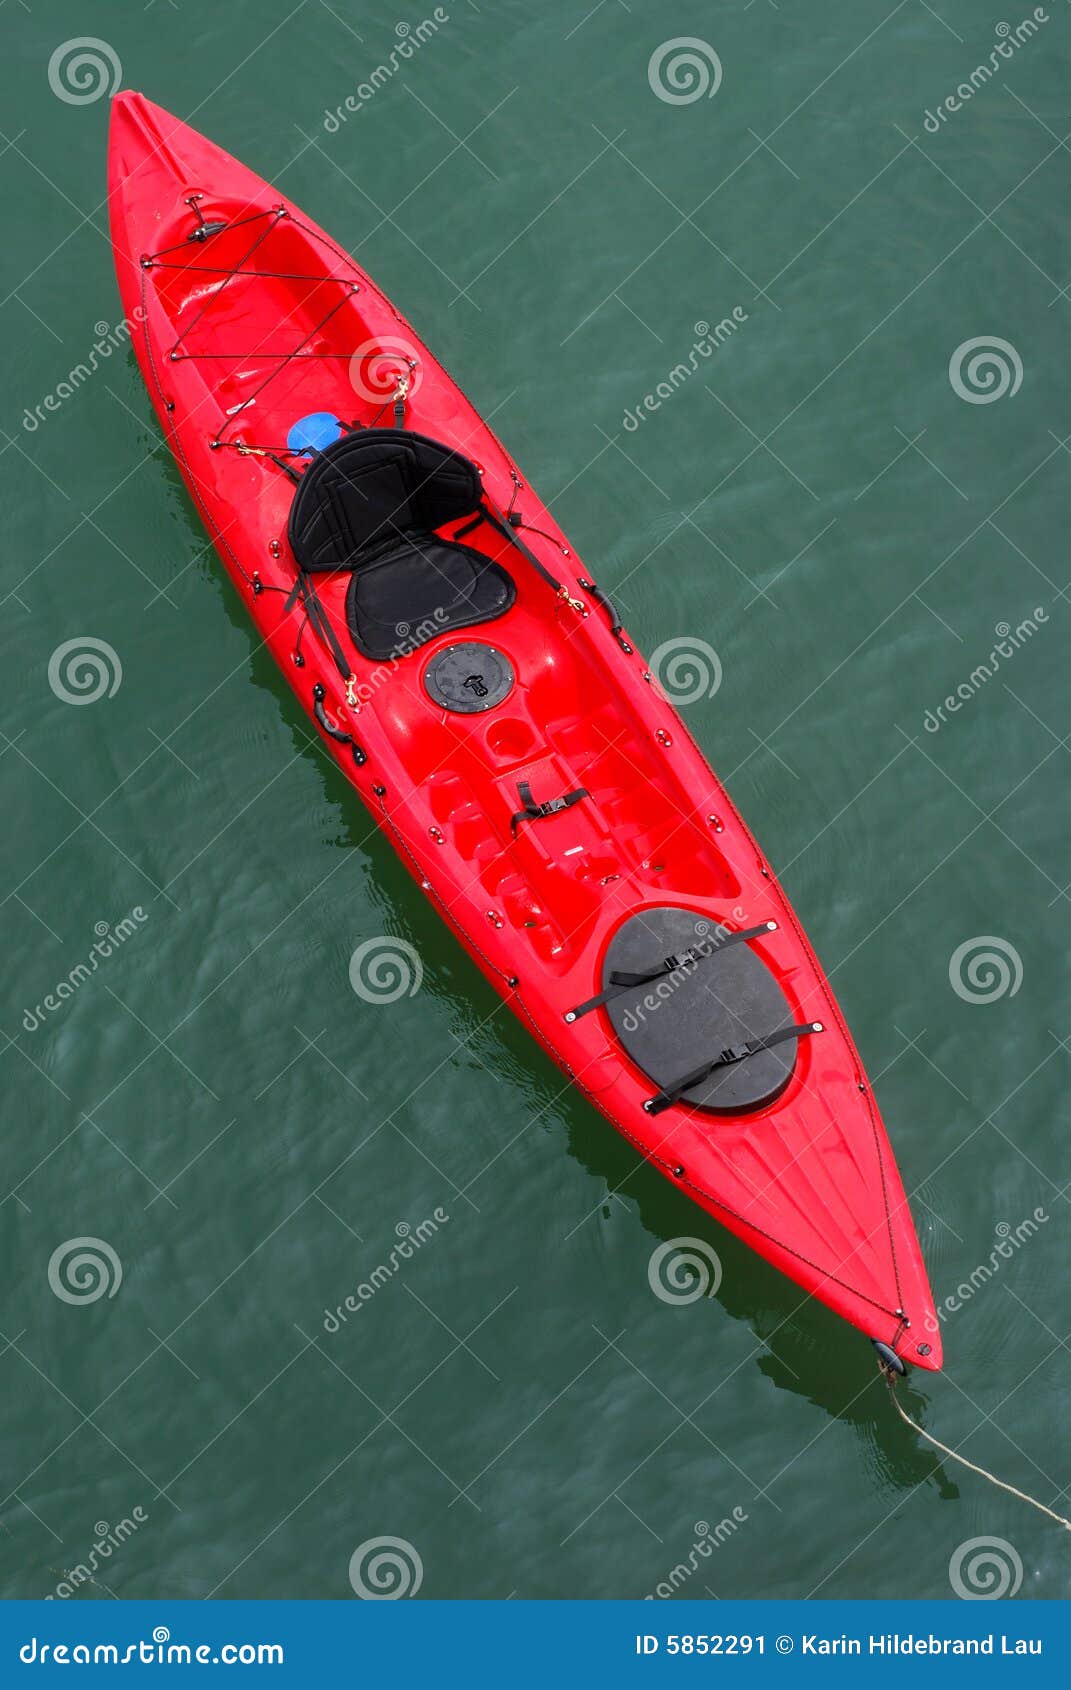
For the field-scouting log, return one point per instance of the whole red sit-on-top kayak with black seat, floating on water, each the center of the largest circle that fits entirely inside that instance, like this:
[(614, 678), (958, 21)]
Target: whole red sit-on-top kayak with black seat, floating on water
[(494, 716)]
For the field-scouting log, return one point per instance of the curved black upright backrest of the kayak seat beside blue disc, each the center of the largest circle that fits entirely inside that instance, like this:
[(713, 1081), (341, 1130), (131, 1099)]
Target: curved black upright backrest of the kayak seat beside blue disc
[(372, 486)]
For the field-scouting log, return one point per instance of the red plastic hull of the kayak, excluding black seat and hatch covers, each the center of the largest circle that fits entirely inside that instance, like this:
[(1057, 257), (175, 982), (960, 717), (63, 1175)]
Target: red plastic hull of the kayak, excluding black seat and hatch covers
[(263, 320)]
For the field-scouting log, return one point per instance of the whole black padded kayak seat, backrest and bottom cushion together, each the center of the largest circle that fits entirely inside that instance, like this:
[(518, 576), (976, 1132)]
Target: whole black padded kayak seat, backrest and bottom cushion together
[(371, 504)]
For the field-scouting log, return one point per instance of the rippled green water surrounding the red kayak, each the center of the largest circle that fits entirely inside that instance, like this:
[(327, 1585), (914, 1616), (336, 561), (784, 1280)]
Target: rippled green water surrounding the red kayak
[(847, 532)]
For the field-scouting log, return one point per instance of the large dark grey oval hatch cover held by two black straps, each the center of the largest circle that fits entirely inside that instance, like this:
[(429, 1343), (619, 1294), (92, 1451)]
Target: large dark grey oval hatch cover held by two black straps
[(671, 1027)]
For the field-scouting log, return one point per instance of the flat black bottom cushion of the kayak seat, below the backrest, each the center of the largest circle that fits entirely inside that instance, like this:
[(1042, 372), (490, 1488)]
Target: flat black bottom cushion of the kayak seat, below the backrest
[(421, 587)]
